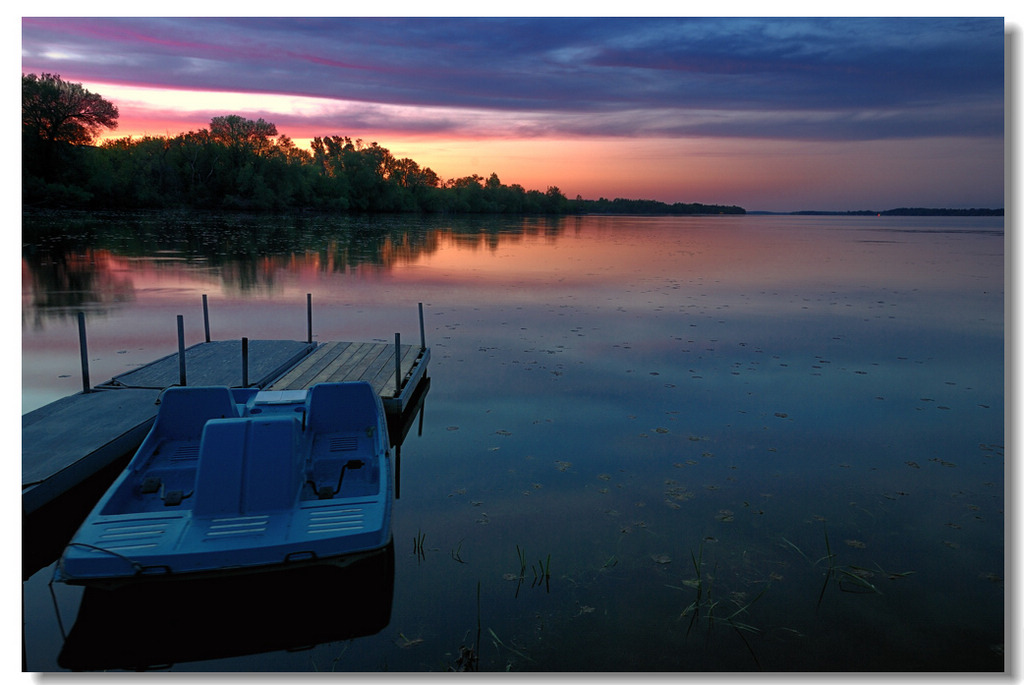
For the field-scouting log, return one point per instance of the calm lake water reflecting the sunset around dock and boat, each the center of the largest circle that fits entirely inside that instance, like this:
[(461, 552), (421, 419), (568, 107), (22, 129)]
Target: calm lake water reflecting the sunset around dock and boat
[(651, 444)]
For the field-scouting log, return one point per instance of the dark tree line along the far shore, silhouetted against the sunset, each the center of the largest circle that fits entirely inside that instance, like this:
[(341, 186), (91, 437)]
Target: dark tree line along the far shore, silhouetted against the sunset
[(241, 164)]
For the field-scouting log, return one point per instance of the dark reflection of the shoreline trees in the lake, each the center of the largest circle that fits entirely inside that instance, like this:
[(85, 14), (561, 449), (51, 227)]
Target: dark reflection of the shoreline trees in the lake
[(76, 260)]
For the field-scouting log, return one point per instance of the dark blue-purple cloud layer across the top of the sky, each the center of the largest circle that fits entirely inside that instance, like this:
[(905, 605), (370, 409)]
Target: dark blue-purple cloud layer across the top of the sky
[(793, 78)]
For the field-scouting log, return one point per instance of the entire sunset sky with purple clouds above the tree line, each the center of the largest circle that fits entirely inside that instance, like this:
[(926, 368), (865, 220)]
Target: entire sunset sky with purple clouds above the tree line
[(773, 114)]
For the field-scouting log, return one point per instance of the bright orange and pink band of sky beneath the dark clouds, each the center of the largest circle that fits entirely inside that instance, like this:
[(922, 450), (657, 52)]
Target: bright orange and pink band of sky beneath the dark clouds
[(756, 175)]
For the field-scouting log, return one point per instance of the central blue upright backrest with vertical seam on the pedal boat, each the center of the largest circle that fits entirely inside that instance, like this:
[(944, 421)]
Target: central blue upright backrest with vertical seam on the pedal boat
[(248, 466)]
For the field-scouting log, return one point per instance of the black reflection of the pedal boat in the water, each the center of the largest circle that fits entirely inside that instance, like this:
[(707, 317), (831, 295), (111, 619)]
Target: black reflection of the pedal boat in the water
[(155, 625)]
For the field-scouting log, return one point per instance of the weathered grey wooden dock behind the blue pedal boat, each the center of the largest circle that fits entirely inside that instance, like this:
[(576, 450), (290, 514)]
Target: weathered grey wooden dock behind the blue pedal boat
[(76, 438)]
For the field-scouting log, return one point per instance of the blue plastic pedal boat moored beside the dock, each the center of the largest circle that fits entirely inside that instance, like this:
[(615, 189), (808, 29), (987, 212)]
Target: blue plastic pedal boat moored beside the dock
[(243, 481)]
